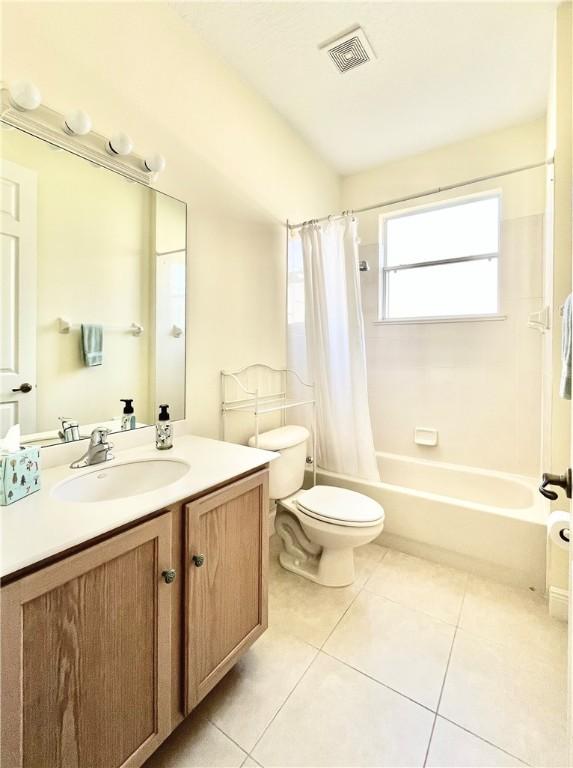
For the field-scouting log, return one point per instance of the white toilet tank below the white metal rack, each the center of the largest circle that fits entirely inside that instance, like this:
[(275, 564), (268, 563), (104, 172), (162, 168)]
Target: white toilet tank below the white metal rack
[(286, 474)]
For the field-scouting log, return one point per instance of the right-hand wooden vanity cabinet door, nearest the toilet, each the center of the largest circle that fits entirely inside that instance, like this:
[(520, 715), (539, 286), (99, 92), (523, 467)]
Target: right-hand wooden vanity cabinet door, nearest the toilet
[(226, 563)]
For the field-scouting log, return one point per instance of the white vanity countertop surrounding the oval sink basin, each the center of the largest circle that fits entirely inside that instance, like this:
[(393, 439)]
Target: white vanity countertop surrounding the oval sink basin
[(40, 526)]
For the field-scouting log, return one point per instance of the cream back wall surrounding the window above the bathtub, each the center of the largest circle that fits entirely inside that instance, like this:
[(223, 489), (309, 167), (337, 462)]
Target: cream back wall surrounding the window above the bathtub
[(477, 383)]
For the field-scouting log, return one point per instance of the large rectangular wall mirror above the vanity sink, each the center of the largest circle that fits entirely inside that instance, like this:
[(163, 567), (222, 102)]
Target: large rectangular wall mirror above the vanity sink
[(86, 254)]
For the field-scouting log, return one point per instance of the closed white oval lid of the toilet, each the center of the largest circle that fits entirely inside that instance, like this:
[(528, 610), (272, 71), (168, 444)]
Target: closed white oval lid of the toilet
[(339, 505)]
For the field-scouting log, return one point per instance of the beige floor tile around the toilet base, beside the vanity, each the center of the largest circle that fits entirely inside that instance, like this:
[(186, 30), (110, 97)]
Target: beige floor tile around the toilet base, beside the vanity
[(307, 610)]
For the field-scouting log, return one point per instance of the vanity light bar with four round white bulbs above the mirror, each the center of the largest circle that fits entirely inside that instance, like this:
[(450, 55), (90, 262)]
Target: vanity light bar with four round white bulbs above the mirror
[(22, 109)]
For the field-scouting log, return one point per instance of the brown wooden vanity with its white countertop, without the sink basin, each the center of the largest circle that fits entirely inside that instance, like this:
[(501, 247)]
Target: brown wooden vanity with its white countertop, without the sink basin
[(120, 615)]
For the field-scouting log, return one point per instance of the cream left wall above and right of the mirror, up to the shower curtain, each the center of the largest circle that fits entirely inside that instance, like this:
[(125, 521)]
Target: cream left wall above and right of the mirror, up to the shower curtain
[(242, 169)]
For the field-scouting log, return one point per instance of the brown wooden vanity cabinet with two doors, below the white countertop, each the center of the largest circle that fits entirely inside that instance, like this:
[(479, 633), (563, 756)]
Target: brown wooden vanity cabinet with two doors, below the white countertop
[(103, 654)]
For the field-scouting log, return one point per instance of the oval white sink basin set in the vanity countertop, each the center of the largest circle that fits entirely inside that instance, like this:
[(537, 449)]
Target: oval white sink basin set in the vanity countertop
[(120, 481)]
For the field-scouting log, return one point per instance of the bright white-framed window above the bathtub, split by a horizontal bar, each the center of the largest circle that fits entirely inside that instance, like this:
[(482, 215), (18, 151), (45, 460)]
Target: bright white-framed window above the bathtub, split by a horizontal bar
[(441, 262)]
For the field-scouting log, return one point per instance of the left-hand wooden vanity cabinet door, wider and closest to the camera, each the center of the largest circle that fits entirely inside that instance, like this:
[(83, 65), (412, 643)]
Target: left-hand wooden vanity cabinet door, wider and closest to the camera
[(86, 656)]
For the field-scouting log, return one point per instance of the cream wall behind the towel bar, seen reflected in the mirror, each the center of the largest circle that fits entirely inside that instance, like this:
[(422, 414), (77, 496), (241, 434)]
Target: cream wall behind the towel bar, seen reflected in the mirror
[(93, 267)]
